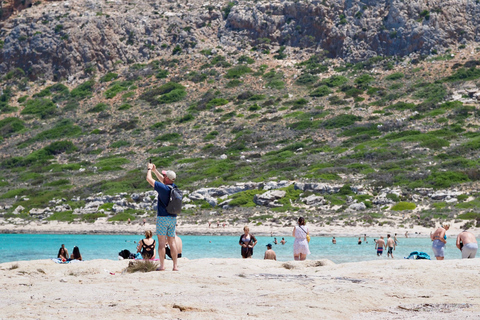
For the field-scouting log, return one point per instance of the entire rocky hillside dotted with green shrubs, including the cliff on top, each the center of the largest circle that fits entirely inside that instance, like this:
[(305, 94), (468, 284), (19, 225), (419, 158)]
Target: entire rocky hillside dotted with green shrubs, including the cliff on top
[(335, 110)]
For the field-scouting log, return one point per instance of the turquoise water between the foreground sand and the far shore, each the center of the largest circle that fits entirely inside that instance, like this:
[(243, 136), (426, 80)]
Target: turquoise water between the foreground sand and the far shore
[(16, 247)]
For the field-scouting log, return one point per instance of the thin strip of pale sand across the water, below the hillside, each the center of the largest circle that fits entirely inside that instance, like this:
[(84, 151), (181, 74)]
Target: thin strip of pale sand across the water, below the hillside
[(104, 227)]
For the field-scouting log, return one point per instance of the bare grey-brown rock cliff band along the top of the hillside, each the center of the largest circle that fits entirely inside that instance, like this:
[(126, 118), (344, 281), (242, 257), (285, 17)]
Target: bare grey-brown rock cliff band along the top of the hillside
[(63, 39)]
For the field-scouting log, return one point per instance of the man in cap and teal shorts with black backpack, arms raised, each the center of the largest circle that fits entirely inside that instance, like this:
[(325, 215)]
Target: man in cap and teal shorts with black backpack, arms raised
[(168, 206)]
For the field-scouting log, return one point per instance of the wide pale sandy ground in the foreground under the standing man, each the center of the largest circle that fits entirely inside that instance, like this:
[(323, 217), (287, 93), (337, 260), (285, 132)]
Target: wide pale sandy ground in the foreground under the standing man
[(242, 289)]
